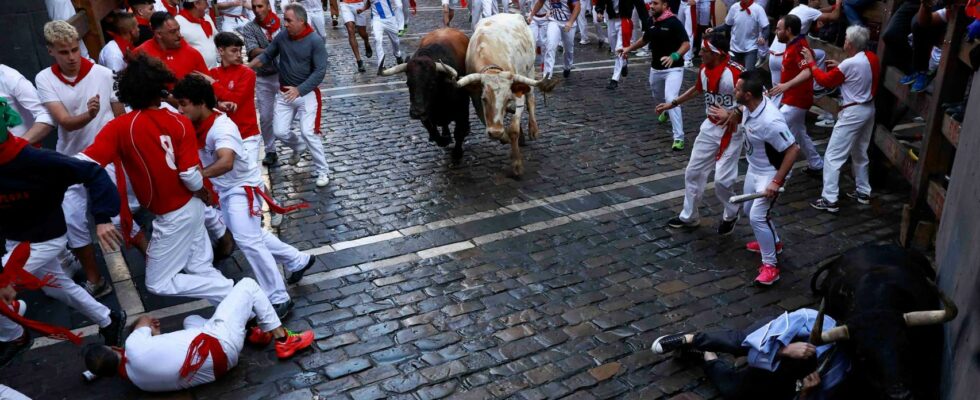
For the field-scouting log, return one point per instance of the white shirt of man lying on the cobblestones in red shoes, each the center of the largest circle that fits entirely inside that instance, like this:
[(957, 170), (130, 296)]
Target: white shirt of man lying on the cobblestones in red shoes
[(153, 362)]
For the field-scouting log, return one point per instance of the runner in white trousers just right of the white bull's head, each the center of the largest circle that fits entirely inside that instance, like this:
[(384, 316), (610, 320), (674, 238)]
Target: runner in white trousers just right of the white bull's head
[(561, 16)]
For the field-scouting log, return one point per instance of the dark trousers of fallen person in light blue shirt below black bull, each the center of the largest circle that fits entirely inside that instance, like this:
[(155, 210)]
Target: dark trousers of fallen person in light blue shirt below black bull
[(748, 382)]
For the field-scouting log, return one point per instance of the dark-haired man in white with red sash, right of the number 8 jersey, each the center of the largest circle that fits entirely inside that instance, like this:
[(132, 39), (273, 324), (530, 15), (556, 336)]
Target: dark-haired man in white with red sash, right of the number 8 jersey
[(237, 179)]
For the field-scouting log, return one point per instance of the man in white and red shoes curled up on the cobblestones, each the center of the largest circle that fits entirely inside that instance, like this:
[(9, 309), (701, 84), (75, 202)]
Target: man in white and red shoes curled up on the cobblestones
[(203, 351)]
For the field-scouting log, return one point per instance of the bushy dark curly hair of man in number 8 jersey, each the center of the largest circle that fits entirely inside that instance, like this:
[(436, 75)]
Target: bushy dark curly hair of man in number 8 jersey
[(144, 82)]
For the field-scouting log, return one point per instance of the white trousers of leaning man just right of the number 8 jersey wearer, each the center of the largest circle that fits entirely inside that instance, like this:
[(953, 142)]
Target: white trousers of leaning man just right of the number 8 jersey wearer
[(261, 248)]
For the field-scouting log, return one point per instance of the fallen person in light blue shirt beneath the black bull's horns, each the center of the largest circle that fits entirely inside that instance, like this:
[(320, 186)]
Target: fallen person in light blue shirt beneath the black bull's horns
[(782, 363)]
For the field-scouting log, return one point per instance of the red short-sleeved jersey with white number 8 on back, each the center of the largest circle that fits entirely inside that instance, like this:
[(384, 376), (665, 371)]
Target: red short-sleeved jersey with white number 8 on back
[(154, 147)]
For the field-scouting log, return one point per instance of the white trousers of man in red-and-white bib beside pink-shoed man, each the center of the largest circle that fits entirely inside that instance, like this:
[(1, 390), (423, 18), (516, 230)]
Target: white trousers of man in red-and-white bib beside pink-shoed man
[(703, 154)]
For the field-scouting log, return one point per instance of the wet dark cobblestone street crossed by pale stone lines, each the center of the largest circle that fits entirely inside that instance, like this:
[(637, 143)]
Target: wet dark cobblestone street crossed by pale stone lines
[(437, 279)]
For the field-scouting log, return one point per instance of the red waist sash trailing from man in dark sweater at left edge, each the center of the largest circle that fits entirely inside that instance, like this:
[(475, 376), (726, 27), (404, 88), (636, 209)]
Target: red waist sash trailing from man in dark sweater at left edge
[(14, 274)]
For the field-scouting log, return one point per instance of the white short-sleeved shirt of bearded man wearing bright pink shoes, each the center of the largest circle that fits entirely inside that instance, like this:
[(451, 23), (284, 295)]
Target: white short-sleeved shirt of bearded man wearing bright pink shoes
[(765, 127)]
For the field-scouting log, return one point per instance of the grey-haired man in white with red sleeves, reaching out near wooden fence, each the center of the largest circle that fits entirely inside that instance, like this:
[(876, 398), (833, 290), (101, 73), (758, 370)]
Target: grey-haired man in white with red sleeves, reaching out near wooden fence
[(858, 78)]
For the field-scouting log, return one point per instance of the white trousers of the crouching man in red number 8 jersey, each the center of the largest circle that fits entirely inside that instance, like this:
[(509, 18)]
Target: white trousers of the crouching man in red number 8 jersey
[(178, 261)]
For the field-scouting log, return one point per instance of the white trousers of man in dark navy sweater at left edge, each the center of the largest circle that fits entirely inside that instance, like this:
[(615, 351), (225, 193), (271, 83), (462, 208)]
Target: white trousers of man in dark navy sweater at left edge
[(43, 261)]
